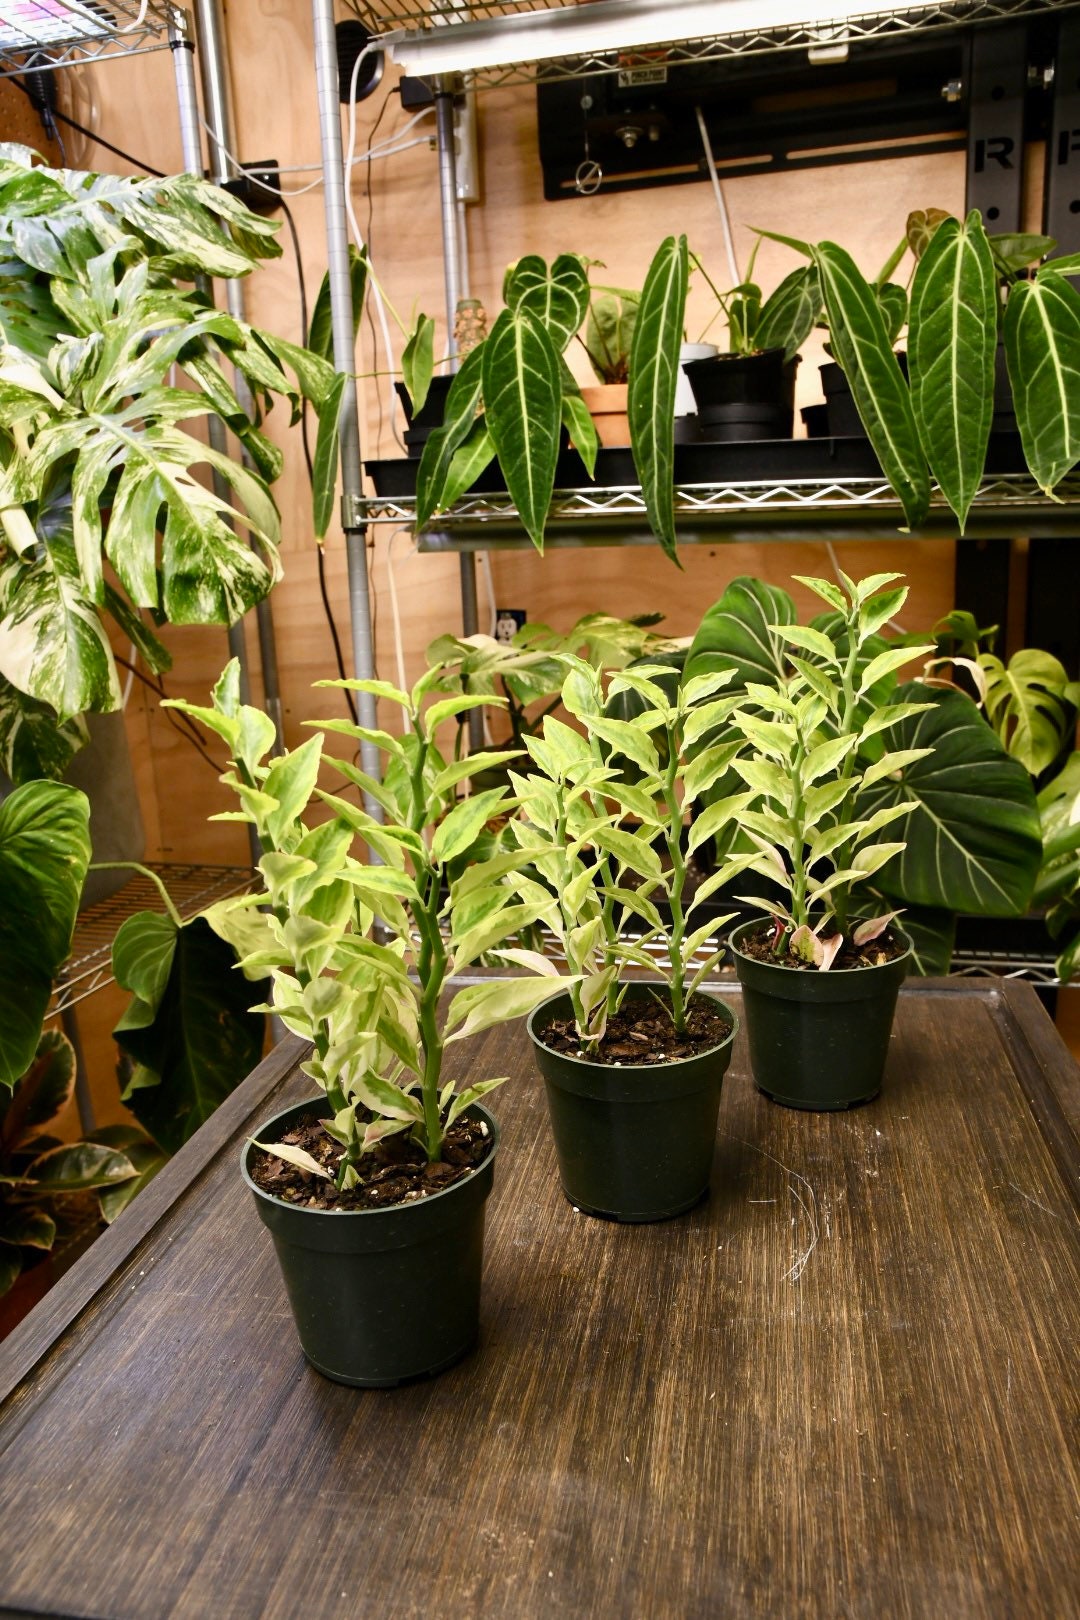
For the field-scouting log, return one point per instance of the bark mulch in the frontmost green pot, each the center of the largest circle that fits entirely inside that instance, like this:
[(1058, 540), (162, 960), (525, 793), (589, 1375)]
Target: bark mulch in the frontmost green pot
[(396, 1172)]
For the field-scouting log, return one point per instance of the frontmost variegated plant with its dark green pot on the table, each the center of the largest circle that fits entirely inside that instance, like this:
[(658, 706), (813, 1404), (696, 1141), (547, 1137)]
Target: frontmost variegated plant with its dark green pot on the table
[(375, 1192)]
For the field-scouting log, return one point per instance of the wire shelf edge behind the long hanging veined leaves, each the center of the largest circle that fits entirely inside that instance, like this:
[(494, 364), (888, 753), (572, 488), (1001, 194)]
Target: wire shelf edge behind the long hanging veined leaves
[(867, 506)]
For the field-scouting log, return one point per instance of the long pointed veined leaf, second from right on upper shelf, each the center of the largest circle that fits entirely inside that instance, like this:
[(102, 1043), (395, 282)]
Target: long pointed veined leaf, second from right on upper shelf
[(951, 349)]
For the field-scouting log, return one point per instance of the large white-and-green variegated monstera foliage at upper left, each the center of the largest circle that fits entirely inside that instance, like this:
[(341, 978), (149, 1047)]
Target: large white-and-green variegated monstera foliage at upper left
[(96, 466)]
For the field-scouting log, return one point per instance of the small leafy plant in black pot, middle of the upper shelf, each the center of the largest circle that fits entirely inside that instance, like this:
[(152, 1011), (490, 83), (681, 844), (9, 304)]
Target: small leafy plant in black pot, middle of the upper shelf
[(750, 391)]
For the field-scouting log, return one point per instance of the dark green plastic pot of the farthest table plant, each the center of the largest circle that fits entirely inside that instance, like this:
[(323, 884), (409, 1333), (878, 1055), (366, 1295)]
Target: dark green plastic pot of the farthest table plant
[(819, 1041)]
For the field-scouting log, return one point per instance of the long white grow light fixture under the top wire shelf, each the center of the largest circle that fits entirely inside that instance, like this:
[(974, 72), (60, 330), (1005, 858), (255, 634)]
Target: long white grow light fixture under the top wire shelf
[(464, 40)]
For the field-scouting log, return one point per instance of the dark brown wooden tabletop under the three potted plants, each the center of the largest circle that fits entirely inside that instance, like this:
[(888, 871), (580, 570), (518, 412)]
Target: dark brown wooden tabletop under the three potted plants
[(841, 1388)]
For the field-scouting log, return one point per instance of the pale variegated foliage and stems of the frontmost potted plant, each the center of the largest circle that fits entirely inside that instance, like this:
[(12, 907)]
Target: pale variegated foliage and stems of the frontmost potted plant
[(372, 1002)]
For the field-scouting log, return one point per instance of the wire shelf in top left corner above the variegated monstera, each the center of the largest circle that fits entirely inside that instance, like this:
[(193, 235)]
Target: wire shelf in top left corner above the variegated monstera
[(43, 35)]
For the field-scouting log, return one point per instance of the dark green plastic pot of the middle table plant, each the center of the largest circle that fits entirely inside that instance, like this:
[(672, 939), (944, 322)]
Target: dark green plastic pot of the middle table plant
[(634, 1143)]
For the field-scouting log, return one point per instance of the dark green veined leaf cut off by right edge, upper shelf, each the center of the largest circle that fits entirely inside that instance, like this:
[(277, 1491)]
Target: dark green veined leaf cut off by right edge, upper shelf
[(1044, 357)]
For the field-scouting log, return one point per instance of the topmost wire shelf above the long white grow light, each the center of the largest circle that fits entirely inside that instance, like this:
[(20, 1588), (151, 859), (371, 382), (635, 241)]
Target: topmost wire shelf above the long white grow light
[(425, 17)]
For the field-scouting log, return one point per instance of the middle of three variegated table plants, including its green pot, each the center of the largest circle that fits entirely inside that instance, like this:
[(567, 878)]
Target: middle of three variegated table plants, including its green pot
[(632, 1070)]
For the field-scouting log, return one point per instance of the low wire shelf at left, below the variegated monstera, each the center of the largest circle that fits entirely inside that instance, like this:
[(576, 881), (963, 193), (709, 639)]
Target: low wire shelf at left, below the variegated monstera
[(192, 890)]
